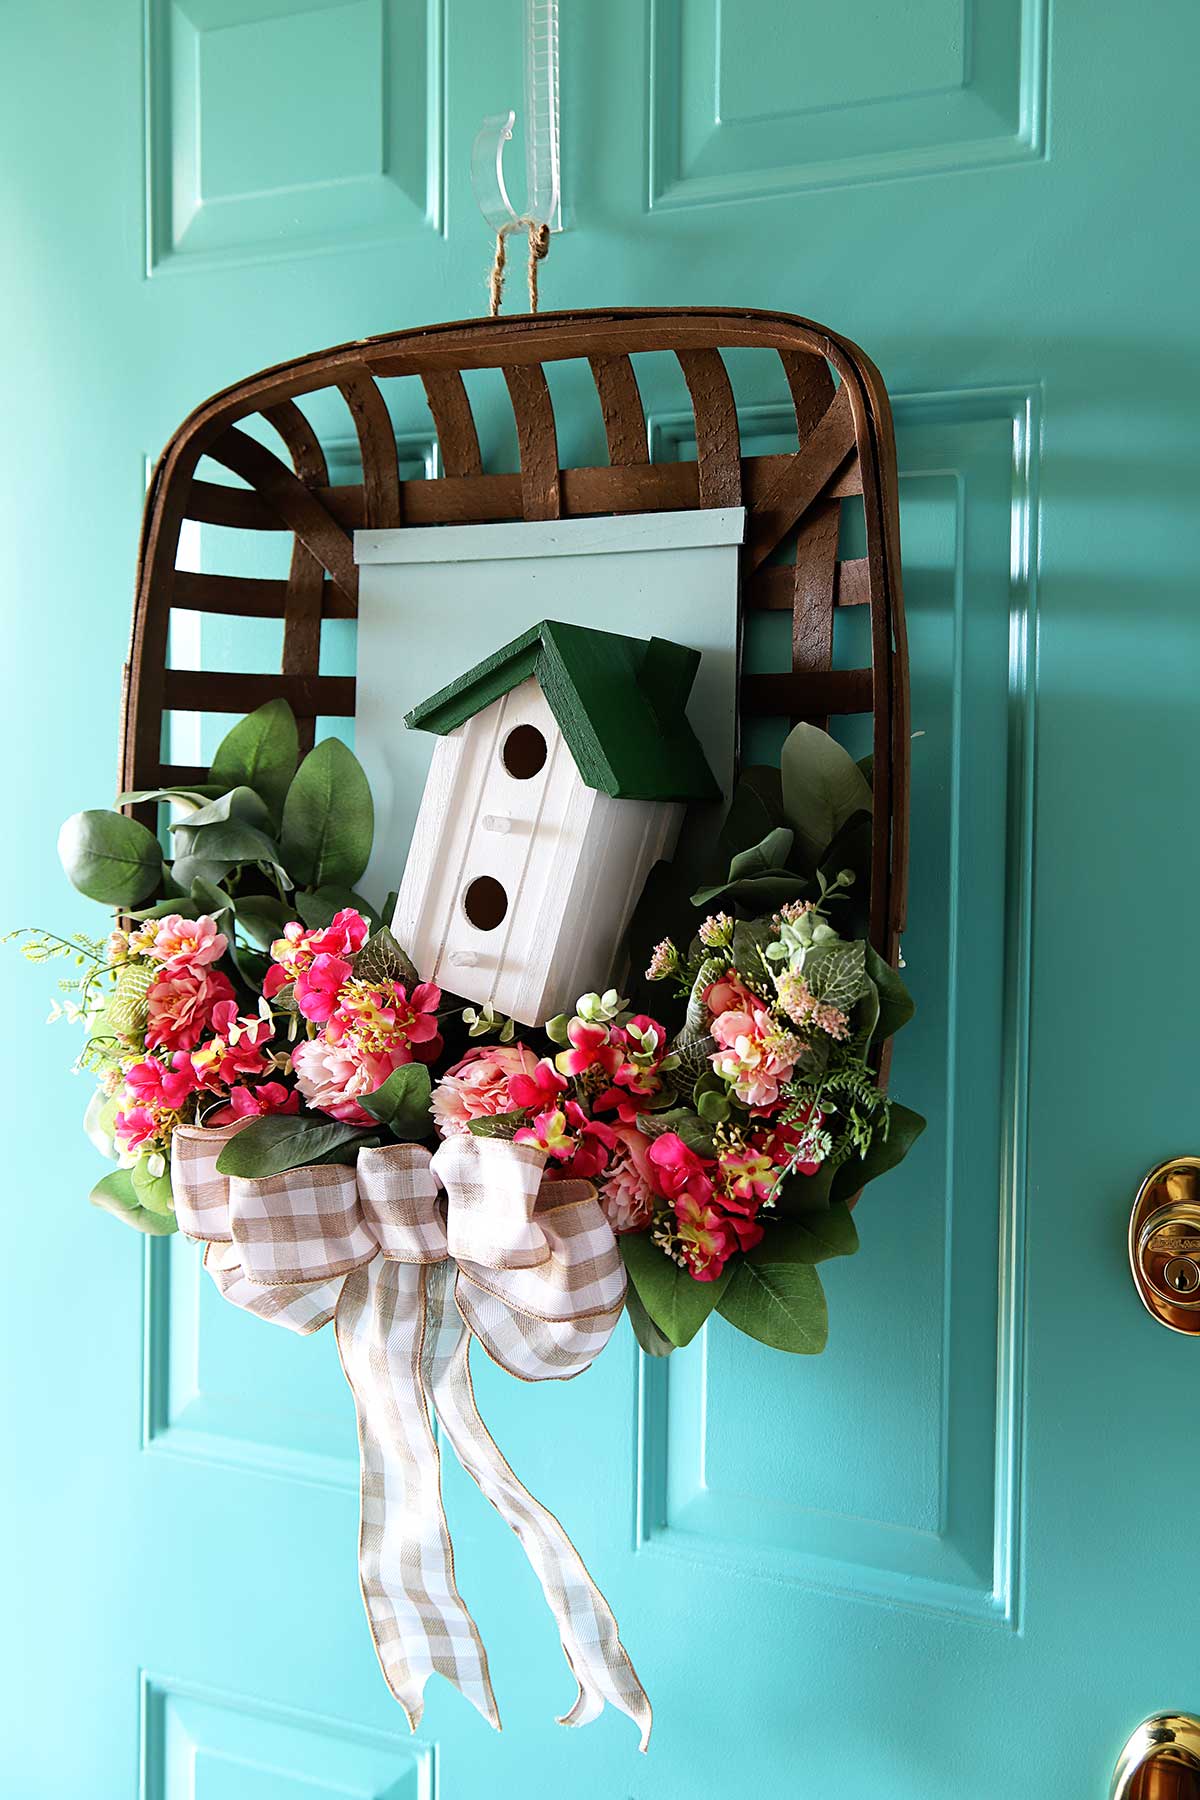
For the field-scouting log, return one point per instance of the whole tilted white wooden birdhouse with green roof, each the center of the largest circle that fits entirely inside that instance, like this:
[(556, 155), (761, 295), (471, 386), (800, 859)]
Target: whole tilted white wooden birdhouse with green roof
[(560, 778)]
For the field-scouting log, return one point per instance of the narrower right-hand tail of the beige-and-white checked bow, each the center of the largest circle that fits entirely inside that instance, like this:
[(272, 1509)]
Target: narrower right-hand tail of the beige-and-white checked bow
[(586, 1623)]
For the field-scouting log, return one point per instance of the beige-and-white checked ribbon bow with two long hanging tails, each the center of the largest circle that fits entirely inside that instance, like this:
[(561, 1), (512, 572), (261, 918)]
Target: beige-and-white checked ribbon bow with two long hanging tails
[(409, 1275)]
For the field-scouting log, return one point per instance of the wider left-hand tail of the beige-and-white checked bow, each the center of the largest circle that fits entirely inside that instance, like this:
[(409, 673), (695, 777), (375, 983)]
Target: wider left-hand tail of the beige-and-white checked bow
[(406, 1560)]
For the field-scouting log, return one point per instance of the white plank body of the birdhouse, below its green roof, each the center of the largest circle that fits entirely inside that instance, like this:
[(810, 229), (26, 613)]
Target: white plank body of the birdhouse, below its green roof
[(521, 877)]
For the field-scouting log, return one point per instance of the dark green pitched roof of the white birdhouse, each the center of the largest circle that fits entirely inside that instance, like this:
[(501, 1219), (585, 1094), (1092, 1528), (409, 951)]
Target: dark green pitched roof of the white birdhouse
[(620, 705)]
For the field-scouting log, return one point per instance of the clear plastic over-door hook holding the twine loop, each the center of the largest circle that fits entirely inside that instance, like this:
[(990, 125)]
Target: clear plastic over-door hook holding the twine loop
[(542, 152)]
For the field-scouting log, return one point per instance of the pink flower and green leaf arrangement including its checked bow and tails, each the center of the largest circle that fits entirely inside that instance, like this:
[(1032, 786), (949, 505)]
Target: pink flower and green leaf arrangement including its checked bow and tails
[(352, 1144)]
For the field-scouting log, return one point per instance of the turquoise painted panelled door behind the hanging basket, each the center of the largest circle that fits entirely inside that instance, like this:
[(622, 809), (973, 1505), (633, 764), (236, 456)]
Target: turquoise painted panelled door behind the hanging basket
[(951, 1558)]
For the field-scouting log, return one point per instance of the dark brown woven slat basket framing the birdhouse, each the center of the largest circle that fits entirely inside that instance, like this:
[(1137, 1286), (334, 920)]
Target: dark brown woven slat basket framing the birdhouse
[(845, 447)]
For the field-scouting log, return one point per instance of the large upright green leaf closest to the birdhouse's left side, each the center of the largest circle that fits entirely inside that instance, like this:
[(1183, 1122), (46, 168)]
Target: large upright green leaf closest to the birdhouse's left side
[(328, 820)]
